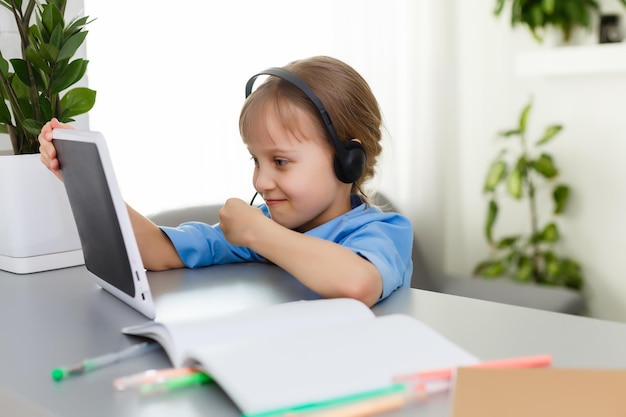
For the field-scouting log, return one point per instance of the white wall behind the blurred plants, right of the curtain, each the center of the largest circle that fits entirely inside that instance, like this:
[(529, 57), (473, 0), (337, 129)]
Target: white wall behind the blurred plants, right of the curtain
[(591, 151)]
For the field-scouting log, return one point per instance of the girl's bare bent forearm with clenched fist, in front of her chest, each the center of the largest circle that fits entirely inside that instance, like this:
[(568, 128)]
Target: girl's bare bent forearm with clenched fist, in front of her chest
[(326, 267)]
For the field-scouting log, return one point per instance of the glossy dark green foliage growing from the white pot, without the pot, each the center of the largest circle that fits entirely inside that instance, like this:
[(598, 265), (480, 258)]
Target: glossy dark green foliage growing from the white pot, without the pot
[(31, 86)]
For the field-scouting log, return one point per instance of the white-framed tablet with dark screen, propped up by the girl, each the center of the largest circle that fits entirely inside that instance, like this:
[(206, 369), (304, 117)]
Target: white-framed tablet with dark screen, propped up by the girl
[(104, 228)]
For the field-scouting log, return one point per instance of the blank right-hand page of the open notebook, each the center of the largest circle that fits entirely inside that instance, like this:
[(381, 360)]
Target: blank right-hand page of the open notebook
[(324, 363)]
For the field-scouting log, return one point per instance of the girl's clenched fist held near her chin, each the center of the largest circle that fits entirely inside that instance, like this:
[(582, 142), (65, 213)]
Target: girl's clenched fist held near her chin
[(240, 221)]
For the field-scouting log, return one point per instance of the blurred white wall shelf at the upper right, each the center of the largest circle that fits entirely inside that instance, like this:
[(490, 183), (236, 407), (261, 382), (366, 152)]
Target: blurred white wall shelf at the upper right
[(572, 60)]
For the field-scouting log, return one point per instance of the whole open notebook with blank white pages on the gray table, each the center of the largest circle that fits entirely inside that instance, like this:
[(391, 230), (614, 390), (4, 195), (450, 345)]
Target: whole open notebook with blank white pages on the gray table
[(273, 359)]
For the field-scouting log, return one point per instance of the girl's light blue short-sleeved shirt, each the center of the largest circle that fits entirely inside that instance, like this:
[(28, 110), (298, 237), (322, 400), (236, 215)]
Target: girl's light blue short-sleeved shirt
[(385, 239)]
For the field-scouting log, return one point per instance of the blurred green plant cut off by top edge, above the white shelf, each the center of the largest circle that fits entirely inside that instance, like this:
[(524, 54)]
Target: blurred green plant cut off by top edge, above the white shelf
[(565, 15)]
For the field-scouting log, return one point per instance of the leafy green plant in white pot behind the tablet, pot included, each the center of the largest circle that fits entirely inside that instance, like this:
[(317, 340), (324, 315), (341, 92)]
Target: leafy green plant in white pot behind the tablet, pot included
[(34, 88)]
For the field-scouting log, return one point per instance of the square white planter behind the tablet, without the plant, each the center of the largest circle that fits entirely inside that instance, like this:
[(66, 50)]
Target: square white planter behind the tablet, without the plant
[(37, 229)]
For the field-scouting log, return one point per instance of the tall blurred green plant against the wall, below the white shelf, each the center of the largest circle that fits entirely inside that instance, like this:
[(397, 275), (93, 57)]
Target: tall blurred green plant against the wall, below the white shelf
[(522, 175)]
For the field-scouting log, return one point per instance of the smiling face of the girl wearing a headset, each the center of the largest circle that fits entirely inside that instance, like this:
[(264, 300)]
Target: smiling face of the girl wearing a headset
[(294, 172)]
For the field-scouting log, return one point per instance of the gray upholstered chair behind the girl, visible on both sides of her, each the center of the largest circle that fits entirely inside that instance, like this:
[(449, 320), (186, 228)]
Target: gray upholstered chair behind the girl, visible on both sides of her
[(527, 295)]
